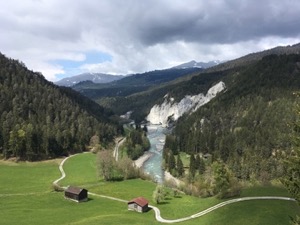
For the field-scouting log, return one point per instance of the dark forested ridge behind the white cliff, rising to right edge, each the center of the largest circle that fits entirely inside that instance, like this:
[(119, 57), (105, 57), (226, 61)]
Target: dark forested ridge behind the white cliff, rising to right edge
[(190, 84)]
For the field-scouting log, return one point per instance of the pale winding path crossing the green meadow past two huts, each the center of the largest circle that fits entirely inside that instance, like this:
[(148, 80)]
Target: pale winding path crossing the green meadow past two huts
[(157, 211)]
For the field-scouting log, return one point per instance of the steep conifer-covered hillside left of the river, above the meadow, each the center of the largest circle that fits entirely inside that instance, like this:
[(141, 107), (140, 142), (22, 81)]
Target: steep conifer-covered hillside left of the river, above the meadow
[(39, 120)]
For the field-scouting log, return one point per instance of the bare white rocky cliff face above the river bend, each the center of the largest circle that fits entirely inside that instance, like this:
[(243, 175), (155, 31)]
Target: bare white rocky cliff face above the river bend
[(171, 111)]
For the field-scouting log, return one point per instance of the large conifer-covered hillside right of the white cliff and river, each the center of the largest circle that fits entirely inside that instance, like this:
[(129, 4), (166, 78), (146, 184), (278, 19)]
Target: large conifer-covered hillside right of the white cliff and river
[(248, 126)]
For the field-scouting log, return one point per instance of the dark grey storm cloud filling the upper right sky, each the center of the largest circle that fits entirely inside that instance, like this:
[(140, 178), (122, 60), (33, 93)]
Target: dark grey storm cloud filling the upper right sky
[(221, 22)]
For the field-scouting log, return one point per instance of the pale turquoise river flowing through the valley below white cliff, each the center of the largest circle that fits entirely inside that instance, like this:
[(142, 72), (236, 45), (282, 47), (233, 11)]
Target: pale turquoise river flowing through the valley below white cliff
[(153, 166)]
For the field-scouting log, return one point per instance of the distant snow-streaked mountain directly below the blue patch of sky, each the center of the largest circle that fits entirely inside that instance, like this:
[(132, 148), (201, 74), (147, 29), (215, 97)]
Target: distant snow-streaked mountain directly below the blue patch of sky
[(94, 77)]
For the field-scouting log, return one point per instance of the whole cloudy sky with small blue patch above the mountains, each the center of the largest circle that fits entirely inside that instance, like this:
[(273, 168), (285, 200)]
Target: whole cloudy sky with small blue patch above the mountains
[(62, 38)]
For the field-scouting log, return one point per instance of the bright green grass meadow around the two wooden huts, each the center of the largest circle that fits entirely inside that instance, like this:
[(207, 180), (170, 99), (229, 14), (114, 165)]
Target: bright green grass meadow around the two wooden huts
[(26, 197)]
